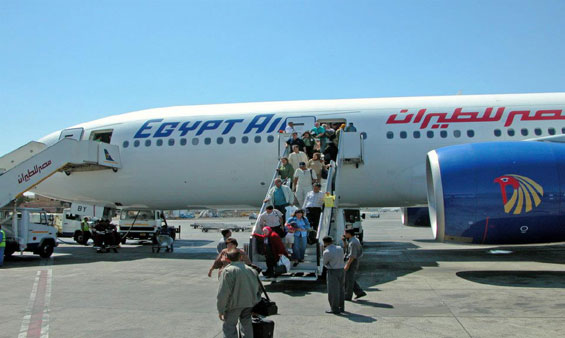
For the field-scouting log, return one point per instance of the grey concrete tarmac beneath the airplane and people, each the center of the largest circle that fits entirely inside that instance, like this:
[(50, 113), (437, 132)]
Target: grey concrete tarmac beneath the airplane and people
[(416, 288)]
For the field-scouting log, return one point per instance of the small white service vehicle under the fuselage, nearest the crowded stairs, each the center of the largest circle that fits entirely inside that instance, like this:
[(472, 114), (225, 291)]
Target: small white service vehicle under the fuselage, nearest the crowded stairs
[(139, 223)]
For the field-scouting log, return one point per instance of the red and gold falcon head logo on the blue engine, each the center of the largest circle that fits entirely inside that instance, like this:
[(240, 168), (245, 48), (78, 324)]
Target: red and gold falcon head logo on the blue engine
[(526, 193)]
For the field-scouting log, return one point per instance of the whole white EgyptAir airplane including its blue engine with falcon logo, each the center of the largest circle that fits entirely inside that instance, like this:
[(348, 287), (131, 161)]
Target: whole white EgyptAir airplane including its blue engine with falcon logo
[(463, 156)]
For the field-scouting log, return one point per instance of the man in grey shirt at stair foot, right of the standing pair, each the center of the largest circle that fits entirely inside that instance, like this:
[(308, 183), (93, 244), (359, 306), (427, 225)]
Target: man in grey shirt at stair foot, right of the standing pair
[(352, 257)]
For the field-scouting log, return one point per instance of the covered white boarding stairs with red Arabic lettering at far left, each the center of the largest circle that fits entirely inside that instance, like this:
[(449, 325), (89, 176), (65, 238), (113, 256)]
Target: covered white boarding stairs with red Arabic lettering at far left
[(33, 163)]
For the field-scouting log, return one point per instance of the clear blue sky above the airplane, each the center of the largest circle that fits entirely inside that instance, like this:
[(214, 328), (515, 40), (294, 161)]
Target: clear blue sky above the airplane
[(67, 62)]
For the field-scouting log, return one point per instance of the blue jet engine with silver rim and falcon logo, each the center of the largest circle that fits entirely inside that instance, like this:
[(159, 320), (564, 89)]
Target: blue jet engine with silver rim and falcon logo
[(497, 192)]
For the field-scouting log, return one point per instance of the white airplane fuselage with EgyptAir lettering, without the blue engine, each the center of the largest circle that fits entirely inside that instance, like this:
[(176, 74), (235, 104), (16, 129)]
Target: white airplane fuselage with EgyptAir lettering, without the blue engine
[(216, 167)]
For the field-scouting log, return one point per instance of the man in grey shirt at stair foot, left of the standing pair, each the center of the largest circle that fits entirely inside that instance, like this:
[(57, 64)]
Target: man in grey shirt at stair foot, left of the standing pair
[(333, 262)]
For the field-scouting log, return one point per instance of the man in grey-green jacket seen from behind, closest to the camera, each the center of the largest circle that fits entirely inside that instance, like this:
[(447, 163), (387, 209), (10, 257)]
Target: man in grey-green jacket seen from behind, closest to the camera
[(238, 292)]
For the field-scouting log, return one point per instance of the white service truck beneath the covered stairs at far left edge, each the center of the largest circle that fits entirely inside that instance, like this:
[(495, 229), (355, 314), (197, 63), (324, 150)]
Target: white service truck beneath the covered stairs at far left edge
[(31, 230)]
